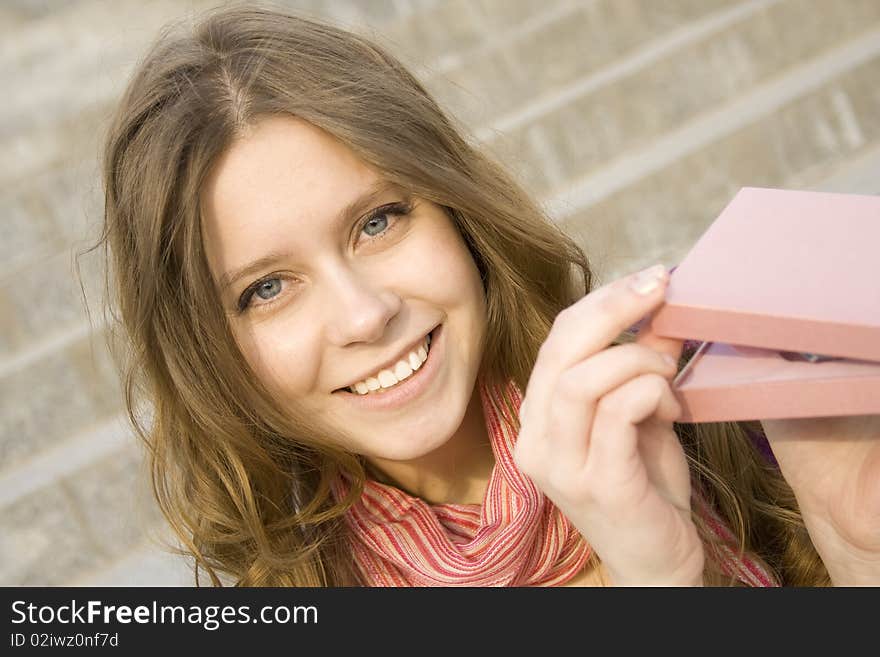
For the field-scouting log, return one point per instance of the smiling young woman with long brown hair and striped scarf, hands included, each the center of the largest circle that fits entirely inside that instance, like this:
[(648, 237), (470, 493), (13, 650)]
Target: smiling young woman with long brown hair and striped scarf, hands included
[(372, 360)]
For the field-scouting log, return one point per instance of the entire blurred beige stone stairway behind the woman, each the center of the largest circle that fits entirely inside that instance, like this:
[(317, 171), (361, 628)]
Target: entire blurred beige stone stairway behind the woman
[(633, 121)]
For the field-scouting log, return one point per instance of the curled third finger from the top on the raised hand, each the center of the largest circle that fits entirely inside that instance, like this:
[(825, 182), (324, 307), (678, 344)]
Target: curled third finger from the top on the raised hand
[(614, 435)]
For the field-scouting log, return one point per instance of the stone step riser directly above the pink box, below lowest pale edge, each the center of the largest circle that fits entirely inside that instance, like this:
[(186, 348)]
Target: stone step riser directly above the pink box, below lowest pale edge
[(801, 143)]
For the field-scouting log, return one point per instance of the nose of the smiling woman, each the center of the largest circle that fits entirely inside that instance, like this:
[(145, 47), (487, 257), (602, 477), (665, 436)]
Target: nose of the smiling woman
[(358, 308)]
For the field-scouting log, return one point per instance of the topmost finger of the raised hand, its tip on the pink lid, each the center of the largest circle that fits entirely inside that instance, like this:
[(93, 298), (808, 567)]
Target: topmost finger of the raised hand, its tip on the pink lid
[(590, 325)]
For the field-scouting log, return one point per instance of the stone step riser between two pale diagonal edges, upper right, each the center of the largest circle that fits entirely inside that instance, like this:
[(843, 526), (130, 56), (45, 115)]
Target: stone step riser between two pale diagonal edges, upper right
[(609, 120)]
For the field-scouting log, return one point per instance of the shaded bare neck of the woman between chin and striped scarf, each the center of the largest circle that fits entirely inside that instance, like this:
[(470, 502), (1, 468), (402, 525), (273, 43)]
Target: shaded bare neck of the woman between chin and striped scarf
[(456, 473)]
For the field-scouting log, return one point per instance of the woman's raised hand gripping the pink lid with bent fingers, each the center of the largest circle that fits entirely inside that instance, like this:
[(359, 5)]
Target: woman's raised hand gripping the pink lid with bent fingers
[(596, 436)]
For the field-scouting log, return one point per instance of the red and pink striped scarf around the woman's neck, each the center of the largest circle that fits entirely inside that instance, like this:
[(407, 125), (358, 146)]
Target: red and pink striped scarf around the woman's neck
[(516, 537)]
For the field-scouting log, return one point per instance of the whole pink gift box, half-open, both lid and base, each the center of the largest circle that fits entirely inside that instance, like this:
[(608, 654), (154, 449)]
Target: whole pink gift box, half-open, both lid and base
[(778, 278)]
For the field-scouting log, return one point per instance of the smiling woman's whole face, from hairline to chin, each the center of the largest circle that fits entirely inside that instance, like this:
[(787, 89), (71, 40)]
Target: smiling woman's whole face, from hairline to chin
[(349, 276)]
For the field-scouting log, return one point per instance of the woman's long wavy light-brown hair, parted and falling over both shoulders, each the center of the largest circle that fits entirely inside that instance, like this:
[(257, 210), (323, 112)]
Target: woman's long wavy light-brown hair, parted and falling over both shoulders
[(245, 483)]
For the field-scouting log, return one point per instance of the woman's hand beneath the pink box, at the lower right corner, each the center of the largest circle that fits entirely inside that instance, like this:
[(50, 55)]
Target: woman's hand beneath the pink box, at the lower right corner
[(833, 466)]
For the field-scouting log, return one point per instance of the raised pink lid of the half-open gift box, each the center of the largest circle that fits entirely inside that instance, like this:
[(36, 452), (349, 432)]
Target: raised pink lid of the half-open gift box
[(783, 269)]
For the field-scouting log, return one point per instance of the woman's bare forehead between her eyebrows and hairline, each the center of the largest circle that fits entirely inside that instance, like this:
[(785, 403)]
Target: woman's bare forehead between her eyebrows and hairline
[(283, 170)]
